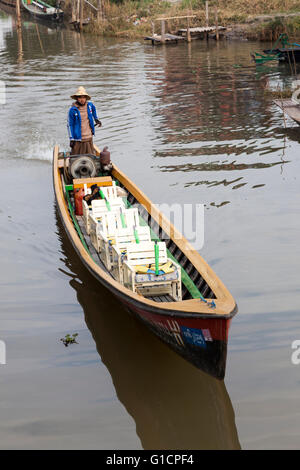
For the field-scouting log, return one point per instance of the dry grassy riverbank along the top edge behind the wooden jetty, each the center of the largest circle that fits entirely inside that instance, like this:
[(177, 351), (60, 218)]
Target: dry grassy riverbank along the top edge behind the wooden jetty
[(262, 20)]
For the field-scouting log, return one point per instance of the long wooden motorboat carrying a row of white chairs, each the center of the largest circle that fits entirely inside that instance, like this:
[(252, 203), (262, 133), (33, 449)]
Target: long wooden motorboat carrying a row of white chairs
[(132, 249)]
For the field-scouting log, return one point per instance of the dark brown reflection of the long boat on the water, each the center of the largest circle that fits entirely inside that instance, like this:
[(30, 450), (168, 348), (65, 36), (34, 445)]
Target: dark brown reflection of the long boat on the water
[(174, 405)]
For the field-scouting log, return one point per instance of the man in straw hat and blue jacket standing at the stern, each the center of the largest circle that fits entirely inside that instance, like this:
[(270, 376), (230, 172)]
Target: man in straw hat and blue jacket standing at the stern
[(82, 121)]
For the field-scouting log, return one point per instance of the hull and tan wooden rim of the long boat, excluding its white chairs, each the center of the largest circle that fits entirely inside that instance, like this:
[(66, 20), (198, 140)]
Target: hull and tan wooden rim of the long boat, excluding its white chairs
[(196, 327)]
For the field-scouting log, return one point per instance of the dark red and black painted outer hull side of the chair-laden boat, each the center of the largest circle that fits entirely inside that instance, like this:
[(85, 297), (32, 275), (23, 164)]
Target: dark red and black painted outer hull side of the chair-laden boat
[(201, 341)]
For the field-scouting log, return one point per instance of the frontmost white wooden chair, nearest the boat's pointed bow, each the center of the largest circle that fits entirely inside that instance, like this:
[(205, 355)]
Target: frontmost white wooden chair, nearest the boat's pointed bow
[(141, 256)]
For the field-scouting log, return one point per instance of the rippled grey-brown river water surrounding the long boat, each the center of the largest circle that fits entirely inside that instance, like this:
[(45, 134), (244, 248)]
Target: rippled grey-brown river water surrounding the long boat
[(189, 124)]
